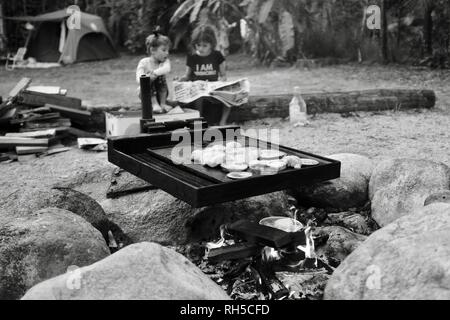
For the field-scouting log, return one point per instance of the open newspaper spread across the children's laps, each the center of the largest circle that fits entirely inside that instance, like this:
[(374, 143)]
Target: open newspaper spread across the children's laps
[(230, 93)]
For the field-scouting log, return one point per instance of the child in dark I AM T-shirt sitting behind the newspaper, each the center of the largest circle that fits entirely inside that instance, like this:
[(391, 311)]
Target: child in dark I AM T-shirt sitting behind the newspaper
[(207, 64)]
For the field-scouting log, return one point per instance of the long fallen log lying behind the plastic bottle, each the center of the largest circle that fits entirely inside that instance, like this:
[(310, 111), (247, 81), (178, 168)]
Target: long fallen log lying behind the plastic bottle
[(277, 106)]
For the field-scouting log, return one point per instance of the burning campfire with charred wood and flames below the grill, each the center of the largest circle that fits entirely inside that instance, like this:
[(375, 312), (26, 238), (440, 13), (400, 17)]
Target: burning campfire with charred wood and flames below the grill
[(260, 251)]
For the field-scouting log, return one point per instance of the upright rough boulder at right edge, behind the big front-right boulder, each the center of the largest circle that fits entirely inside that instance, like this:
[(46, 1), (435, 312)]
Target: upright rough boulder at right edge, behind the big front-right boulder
[(398, 187)]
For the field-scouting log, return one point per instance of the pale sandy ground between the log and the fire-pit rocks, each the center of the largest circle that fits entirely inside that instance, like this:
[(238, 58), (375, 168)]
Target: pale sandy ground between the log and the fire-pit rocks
[(417, 135)]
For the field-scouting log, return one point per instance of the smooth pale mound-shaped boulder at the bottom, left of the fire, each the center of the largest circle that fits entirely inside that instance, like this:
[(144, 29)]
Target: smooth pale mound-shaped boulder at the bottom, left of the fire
[(144, 271)]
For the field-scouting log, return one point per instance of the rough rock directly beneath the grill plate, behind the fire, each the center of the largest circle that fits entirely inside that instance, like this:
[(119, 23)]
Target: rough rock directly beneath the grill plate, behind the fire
[(156, 216)]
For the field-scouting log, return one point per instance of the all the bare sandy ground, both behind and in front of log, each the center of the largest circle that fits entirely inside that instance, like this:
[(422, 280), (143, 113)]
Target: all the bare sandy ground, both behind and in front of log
[(413, 134)]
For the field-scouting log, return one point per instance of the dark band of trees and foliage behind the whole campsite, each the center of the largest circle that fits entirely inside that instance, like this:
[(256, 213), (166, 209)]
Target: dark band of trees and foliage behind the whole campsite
[(413, 30)]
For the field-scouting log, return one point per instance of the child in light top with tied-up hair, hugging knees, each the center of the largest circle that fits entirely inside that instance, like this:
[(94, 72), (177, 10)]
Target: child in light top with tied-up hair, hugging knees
[(156, 66)]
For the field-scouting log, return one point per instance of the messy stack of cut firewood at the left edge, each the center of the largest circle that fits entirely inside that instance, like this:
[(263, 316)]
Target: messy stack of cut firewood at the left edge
[(34, 121)]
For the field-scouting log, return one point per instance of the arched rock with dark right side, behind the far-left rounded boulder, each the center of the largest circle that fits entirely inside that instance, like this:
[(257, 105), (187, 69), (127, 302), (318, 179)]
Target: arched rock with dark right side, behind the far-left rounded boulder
[(29, 201)]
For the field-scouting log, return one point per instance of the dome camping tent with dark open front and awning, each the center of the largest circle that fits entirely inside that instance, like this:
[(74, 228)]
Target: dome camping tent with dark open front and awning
[(53, 41)]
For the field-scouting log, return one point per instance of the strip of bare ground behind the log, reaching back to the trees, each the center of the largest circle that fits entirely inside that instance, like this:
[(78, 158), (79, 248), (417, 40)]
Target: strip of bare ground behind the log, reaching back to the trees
[(113, 82)]
